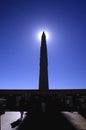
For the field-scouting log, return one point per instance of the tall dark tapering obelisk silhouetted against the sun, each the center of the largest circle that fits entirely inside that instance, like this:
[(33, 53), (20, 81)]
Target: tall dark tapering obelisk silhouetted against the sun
[(43, 74)]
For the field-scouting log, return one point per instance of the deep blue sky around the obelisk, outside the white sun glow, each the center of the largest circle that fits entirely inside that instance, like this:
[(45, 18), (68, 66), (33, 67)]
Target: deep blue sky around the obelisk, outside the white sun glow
[(20, 22)]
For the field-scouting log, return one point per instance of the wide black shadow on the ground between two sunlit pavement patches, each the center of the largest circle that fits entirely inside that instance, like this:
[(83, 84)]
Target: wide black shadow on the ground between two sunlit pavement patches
[(47, 121)]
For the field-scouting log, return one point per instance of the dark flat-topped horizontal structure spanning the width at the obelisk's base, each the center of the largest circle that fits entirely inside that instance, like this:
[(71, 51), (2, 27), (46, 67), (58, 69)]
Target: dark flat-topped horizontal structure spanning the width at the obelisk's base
[(63, 100)]
